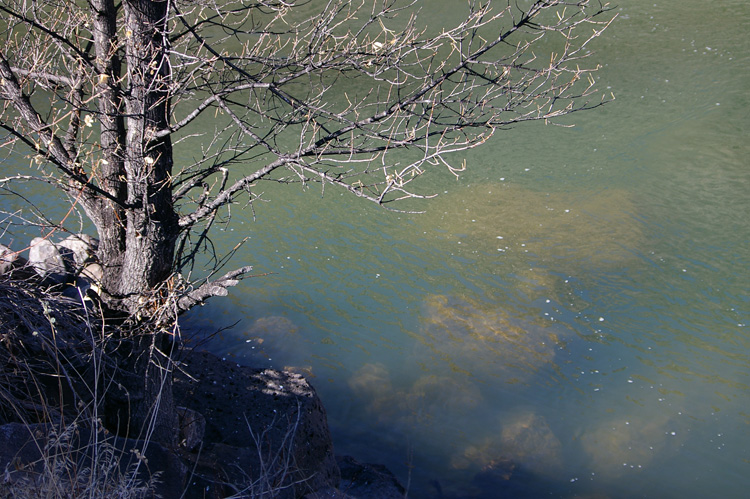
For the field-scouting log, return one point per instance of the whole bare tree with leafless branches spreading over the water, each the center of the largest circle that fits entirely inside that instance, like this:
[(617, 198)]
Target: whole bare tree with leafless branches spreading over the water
[(356, 95)]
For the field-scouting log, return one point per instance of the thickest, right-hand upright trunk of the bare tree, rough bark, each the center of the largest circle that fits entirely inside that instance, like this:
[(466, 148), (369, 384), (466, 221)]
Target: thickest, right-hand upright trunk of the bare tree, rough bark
[(151, 223)]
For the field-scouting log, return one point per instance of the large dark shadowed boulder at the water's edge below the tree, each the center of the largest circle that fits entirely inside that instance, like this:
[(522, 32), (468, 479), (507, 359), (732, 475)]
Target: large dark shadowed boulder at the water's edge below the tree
[(260, 424)]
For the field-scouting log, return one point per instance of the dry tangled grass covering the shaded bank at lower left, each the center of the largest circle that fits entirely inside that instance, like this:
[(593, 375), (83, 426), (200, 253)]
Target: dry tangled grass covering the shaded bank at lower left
[(54, 372)]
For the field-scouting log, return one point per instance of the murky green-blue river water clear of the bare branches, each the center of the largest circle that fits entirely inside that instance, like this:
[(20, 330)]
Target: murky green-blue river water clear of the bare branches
[(576, 304)]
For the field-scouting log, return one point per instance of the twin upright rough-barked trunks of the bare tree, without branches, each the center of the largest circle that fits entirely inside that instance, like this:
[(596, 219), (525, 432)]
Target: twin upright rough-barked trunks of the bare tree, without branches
[(138, 239)]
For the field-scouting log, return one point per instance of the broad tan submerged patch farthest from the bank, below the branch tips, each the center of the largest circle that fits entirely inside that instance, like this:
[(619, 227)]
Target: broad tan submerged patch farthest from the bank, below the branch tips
[(566, 229)]
